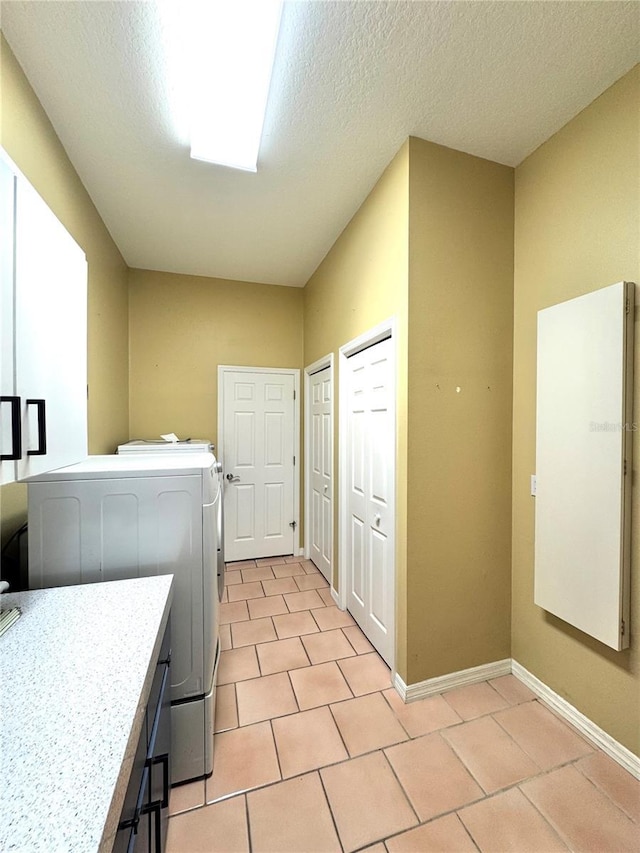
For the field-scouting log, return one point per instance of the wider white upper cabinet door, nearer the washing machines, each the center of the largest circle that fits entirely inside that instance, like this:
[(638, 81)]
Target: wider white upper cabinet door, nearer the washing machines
[(51, 337)]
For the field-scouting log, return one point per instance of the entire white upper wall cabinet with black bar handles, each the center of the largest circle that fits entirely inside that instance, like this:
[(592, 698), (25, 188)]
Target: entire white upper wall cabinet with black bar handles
[(44, 335)]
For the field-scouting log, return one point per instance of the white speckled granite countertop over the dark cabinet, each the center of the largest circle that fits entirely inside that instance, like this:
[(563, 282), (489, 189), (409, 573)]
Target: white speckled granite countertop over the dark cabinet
[(75, 675)]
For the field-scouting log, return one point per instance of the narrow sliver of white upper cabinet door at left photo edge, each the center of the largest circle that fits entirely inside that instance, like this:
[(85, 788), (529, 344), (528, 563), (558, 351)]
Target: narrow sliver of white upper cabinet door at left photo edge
[(7, 386)]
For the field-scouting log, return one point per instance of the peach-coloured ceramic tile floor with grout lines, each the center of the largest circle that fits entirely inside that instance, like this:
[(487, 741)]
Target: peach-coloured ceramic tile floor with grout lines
[(315, 751)]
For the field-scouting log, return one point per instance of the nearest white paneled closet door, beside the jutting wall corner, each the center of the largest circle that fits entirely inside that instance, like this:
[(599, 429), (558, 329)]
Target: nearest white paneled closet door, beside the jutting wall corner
[(370, 521)]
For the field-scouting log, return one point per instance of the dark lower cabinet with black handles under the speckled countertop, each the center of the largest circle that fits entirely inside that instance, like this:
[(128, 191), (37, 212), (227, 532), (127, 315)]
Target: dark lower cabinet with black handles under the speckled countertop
[(143, 822)]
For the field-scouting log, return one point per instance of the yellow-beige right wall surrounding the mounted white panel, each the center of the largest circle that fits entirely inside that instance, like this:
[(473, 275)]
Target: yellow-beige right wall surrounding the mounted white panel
[(577, 229)]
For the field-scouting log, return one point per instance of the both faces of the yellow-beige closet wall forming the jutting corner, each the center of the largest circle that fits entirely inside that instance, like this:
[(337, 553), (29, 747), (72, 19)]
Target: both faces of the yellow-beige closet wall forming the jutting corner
[(433, 245)]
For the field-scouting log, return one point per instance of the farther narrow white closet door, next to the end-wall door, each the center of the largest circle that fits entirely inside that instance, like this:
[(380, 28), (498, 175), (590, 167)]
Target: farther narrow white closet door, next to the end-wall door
[(320, 493)]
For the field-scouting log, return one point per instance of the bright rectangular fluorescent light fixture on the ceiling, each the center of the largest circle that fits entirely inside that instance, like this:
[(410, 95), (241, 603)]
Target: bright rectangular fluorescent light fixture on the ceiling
[(222, 56)]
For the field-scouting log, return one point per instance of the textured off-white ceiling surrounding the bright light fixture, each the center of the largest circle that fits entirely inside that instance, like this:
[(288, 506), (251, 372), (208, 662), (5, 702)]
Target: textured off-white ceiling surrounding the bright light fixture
[(352, 81)]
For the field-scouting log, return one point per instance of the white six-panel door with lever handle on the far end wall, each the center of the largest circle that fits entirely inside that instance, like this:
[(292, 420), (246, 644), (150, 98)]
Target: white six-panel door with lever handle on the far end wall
[(258, 450)]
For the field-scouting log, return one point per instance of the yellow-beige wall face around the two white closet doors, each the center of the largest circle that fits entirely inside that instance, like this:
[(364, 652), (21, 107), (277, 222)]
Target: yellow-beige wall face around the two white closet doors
[(361, 282)]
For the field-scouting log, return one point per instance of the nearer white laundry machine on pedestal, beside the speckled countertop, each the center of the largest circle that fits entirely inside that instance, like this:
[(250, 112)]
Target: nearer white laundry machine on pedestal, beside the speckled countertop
[(135, 515)]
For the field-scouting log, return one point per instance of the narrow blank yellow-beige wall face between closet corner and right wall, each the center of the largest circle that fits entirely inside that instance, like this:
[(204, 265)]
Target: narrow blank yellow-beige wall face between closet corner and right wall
[(459, 460)]
